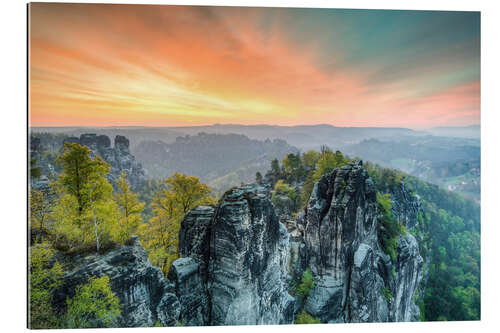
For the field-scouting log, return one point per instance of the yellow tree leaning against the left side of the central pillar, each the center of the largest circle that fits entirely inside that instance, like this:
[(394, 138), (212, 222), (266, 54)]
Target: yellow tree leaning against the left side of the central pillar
[(180, 193)]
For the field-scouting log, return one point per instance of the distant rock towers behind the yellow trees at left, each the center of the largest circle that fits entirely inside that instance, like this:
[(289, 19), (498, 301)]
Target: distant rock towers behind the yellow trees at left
[(118, 157)]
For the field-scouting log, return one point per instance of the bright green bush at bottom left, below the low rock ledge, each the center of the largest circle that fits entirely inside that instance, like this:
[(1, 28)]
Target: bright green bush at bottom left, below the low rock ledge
[(94, 305)]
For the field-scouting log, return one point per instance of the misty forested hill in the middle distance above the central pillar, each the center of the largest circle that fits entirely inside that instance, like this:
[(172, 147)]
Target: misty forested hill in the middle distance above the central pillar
[(221, 160)]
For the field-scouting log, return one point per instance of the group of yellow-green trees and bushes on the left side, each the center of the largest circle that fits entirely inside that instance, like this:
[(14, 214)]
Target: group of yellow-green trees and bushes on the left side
[(82, 213)]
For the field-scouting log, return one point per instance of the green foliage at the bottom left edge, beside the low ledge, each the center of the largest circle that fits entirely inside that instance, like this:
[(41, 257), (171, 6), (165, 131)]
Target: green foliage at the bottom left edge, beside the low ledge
[(43, 280)]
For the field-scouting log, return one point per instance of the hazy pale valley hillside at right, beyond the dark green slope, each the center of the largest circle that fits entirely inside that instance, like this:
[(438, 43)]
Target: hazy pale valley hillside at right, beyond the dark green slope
[(450, 162)]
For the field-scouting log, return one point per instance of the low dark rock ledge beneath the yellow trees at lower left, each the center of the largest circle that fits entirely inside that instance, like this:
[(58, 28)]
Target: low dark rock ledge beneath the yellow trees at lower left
[(146, 296)]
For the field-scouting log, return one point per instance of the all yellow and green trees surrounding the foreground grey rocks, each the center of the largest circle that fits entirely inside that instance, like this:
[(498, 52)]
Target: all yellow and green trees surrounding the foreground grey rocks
[(81, 212)]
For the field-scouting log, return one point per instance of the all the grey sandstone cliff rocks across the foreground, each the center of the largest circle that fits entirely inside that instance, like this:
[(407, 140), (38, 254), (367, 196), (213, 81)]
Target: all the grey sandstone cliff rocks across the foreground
[(238, 261)]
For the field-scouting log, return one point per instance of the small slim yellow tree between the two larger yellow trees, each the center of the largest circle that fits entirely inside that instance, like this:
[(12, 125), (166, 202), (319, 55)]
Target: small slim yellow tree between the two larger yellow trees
[(129, 207)]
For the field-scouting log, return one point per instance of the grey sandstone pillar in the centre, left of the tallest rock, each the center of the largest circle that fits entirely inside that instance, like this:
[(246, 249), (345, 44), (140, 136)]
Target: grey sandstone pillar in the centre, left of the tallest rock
[(240, 250)]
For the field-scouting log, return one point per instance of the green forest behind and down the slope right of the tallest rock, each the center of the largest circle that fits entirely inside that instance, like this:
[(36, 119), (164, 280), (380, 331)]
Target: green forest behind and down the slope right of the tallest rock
[(448, 231)]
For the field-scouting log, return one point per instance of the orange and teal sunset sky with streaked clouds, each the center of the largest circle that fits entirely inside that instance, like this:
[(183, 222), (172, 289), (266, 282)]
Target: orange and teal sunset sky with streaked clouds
[(159, 65)]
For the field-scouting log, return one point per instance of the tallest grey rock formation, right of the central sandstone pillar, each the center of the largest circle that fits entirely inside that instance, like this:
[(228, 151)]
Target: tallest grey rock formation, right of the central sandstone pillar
[(354, 279)]
